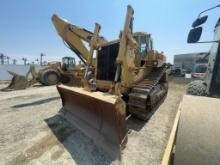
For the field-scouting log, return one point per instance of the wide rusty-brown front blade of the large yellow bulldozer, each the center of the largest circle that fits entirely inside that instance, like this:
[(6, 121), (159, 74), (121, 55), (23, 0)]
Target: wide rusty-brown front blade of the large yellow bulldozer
[(100, 116)]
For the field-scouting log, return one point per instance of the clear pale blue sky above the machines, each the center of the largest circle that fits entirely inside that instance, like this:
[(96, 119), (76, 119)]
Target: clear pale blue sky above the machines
[(26, 29)]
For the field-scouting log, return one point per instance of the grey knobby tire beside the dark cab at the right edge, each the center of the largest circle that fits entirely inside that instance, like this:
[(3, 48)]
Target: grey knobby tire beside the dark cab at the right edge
[(197, 88)]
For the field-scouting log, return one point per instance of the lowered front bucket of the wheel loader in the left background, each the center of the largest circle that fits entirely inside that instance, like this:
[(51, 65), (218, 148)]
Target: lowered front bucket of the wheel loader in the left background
[(18, 82)]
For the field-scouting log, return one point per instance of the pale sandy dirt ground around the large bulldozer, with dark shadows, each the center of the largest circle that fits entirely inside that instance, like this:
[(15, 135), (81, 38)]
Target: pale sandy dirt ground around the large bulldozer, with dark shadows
[(31, 132)]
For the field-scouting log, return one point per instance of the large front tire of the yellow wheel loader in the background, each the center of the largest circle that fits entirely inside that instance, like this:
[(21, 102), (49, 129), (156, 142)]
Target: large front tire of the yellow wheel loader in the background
[(50, 77)]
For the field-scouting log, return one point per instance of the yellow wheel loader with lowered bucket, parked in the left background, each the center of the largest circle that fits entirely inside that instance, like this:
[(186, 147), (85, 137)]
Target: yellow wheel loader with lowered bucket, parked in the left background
[(50, 74)]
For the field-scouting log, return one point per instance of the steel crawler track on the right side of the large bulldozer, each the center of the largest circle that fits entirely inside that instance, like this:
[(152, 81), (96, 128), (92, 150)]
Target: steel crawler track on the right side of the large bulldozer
[(148, 93)]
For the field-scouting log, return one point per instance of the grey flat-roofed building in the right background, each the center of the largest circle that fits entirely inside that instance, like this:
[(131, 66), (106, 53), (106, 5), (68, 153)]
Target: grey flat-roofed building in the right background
[(188, 61)]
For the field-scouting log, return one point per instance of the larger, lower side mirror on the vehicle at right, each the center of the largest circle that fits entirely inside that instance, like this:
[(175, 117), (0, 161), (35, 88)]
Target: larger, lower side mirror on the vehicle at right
[(194, 35)]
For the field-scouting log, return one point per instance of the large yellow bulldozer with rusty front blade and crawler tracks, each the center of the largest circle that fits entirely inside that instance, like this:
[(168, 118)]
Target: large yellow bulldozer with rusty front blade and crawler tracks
[(129, 79)]
